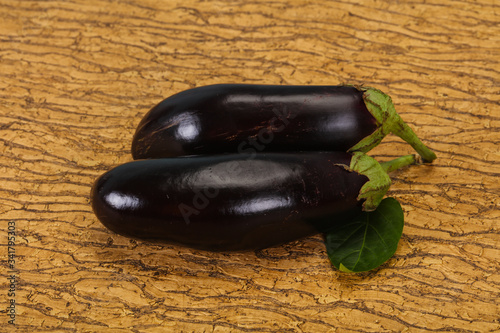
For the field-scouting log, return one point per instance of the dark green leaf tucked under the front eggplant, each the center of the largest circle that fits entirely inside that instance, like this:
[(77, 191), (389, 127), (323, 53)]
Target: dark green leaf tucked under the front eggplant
[(368, 239)]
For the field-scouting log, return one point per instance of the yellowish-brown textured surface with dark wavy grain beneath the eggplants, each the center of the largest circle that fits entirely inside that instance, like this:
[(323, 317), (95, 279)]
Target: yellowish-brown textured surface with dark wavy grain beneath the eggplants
[(77, 76)]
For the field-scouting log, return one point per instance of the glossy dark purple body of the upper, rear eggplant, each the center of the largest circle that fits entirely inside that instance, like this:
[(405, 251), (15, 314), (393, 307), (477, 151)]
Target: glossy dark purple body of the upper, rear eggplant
[(230, 118)]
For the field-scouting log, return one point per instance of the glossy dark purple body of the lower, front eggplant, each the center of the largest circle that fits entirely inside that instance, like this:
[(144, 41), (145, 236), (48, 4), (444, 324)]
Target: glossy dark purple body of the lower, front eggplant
[(228, 202)]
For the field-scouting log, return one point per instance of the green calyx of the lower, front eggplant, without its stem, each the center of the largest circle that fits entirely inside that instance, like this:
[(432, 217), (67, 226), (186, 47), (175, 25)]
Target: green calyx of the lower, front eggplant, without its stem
[(374, 190)]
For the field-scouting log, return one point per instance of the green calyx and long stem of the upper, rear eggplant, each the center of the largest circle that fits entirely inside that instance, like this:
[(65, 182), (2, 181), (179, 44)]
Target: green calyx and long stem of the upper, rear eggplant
[(388, 120)]
